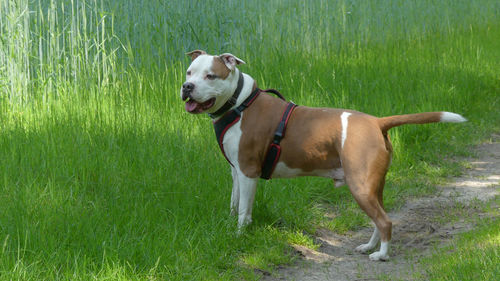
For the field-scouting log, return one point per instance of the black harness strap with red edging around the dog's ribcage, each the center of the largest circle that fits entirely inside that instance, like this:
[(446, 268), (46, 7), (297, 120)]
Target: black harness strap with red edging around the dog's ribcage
[(274, 151)]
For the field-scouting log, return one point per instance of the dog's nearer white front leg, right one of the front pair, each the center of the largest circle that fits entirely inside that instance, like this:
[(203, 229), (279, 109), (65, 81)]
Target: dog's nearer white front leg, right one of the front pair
[(247, 188)]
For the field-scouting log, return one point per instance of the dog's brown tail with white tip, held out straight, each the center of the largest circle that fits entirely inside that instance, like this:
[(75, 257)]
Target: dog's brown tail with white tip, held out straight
[(386, 123)]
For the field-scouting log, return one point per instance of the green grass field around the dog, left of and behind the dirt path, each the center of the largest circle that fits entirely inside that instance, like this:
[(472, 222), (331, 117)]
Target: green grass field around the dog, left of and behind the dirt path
[(104, 176)]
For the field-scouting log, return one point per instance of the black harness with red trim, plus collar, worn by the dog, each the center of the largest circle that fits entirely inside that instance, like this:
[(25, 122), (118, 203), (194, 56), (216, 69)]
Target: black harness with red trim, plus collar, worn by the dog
[(233, 116)]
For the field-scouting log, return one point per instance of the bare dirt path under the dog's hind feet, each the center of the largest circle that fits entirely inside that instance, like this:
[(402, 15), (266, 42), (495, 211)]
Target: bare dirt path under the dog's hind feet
[(417, 226)]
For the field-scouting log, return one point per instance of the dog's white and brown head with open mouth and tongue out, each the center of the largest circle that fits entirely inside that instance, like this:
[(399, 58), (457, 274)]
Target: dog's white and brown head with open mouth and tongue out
[(210, 81)]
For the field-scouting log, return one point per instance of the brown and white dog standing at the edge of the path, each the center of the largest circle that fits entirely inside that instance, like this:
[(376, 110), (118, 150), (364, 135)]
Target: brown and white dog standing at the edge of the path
[(345, 145)]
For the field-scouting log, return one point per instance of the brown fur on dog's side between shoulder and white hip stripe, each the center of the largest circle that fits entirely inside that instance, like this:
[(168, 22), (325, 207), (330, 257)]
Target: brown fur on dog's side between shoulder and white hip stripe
[(311, 142)]
